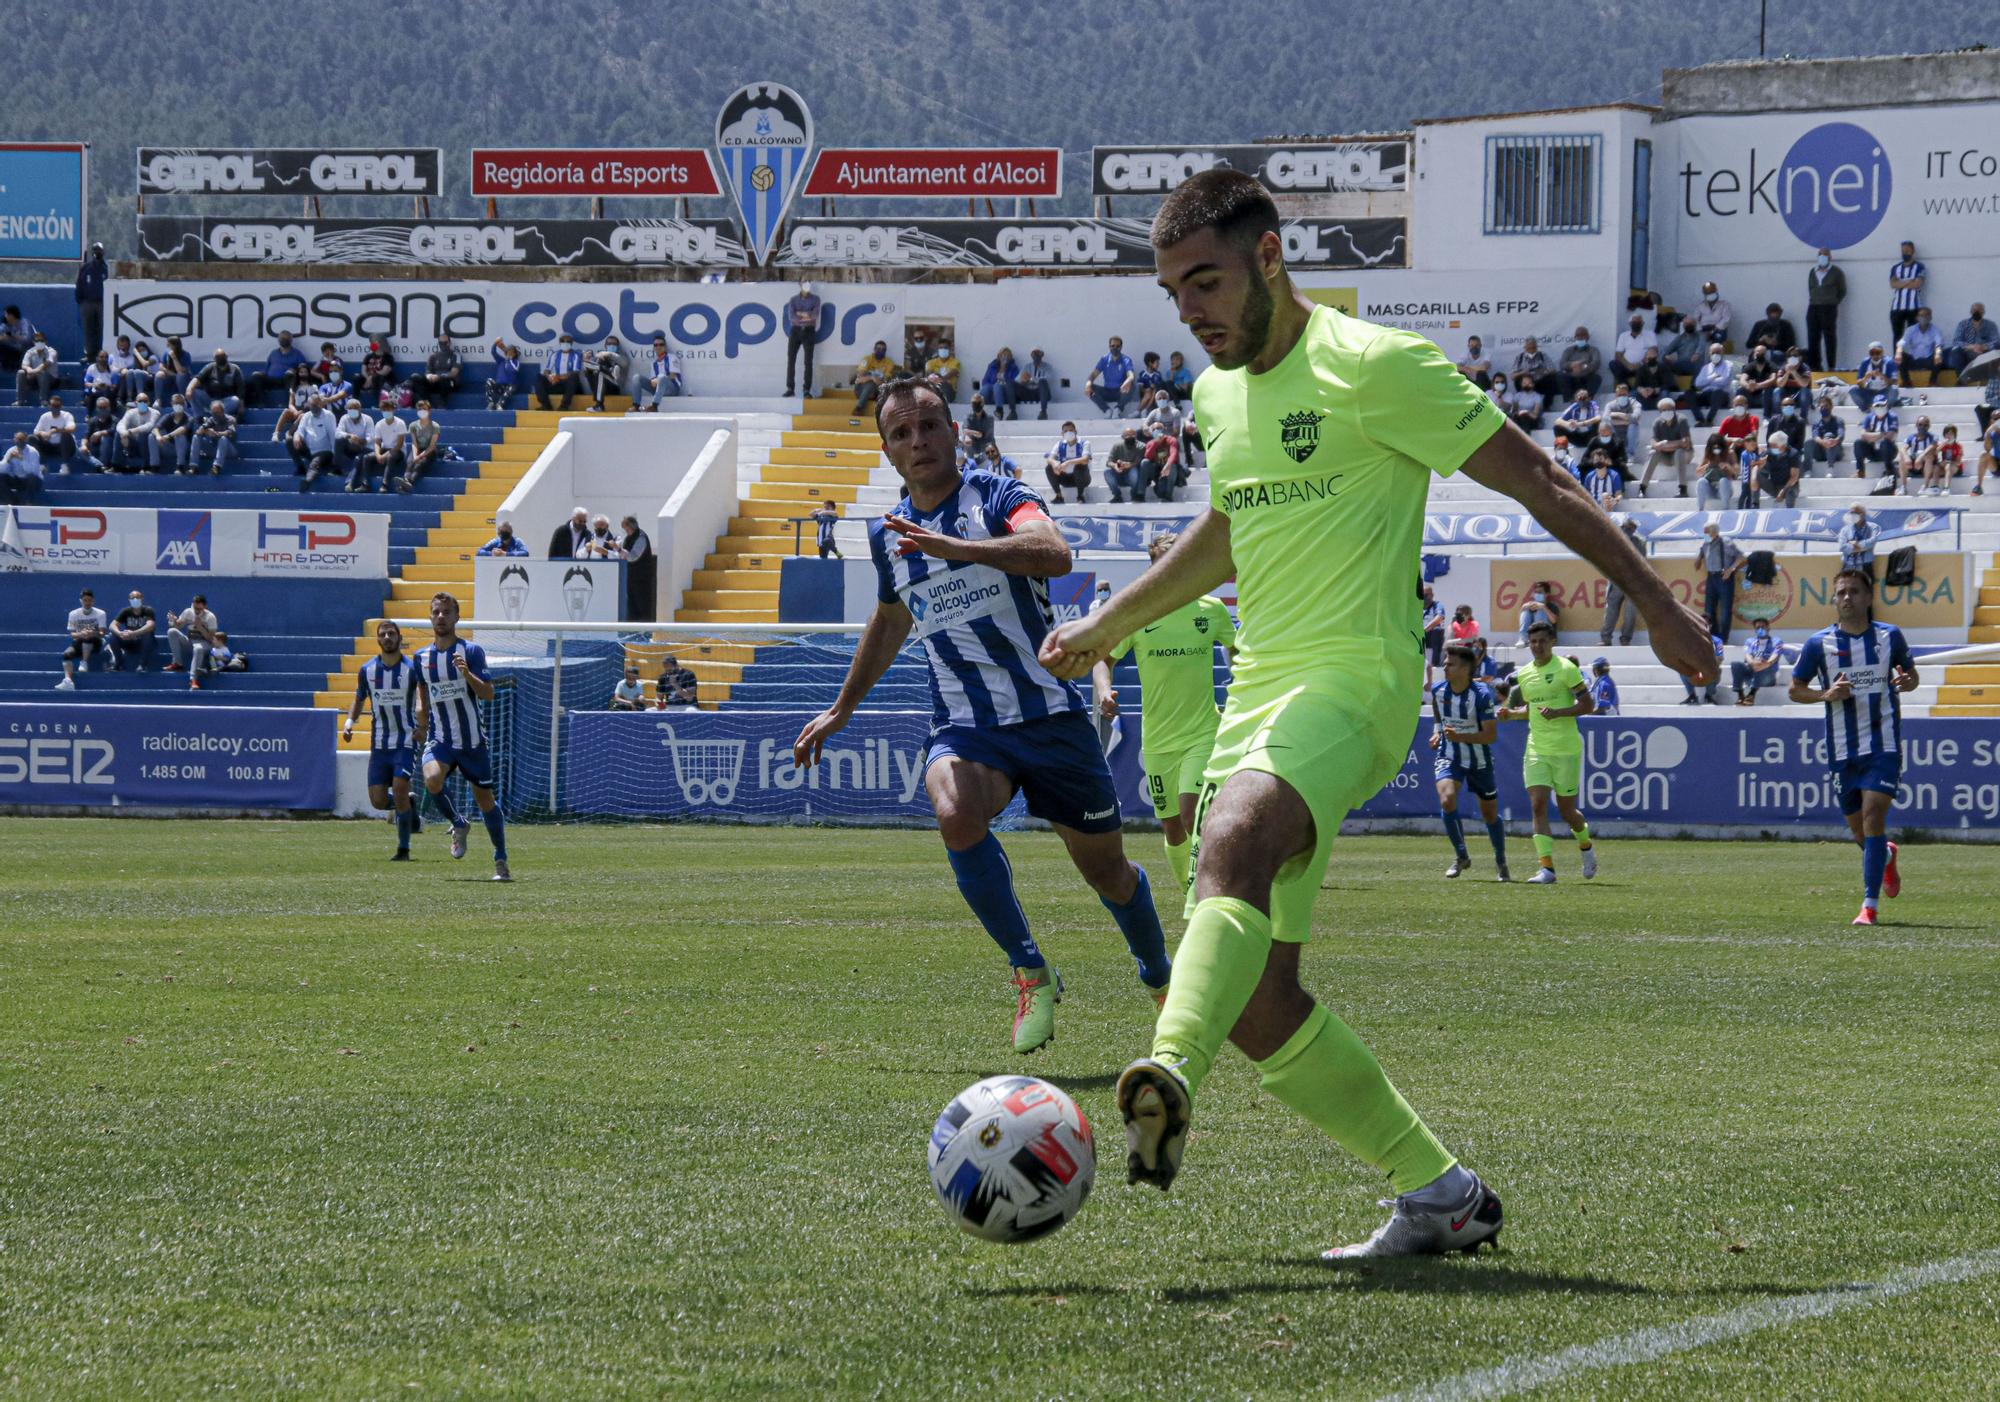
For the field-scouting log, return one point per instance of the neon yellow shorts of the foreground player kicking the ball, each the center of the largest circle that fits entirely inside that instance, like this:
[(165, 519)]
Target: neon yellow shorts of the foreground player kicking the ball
[(1335, 749)]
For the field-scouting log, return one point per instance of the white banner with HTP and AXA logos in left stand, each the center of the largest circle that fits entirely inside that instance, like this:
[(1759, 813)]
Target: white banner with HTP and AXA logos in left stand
[(171, 541)]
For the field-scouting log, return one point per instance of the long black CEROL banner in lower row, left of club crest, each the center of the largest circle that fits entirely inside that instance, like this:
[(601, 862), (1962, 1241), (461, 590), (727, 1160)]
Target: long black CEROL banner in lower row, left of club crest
[(443, 243)]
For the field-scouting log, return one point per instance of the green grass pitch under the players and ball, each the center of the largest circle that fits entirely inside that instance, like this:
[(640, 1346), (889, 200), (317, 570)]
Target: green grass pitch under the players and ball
[(281, 1119)]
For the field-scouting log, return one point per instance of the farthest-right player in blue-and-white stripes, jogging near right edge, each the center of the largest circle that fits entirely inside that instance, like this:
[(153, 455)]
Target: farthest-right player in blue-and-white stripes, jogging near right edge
[(1859, 671)]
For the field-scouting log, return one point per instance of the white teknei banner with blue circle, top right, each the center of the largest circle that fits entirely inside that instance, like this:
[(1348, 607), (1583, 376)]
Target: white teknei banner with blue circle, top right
[(1857, 183)]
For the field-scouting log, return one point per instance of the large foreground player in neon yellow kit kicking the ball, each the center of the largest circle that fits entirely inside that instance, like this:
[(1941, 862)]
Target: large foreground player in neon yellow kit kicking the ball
[(1323, 433)]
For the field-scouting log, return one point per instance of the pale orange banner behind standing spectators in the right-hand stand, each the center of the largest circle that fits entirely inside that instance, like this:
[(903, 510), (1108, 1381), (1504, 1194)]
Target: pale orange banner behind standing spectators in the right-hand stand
[(1799, 601)]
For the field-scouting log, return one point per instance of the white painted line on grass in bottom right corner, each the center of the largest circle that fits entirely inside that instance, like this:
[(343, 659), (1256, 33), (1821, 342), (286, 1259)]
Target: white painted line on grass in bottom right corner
[(1531, 1371)]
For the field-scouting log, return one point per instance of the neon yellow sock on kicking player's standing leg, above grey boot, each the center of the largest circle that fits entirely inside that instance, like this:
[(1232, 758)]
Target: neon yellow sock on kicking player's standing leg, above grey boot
[(1333, 1079)]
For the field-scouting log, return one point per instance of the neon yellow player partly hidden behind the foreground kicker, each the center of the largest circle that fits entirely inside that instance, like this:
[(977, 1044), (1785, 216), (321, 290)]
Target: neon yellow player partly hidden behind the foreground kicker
[(1177, 681)]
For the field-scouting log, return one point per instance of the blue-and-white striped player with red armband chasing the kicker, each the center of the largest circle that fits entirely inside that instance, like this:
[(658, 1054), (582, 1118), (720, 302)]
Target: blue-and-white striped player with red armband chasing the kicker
[(965, 559)]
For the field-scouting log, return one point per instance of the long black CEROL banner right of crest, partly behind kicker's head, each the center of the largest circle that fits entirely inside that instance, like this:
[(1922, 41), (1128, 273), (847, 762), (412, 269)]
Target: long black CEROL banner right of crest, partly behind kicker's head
[(1065, 243)]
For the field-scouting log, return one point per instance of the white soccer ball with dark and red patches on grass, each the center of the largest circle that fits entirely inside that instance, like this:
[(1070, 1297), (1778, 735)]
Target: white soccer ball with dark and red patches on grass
[(1013, 1159)]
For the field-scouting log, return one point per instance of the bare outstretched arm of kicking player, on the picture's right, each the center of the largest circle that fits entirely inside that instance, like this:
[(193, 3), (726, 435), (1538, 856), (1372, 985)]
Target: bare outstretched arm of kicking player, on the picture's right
[(1511, 463)]
